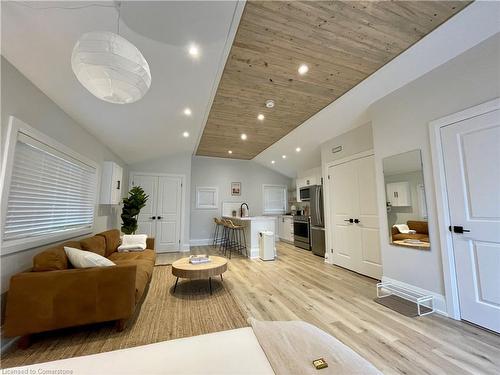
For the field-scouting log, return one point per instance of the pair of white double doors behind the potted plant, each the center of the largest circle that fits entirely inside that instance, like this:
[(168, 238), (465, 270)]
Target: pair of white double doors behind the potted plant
[(161, 217)]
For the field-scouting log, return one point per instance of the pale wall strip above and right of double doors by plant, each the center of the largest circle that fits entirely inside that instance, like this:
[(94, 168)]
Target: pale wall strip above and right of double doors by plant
[(179, 164)]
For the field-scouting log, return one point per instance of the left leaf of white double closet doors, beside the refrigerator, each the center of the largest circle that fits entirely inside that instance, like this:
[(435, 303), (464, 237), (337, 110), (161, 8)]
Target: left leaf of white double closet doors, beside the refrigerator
[(343, 193)]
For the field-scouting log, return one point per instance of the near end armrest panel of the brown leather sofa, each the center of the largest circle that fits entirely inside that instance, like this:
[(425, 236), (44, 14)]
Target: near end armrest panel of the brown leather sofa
[(43, 301)]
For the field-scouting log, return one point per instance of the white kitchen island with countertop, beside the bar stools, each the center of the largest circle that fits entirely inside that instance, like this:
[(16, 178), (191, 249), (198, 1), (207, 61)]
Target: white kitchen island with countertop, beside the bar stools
[(253, 225)]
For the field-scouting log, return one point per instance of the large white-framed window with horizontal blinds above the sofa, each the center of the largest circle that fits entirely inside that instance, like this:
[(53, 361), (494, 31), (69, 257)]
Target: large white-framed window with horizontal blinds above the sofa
[(48, 191)]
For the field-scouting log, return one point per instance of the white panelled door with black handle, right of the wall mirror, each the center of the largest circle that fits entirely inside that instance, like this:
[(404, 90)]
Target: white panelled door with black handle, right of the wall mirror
[(471, 155)]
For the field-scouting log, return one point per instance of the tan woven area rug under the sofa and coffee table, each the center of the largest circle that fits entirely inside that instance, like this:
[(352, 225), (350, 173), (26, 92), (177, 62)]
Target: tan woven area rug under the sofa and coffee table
[(163, 316)]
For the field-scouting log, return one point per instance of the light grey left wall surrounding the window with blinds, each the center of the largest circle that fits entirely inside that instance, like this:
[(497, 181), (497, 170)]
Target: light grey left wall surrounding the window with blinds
[(20, 98)]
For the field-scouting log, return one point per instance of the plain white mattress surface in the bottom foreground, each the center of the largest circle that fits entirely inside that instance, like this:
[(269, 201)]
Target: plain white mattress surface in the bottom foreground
[(228, 352)]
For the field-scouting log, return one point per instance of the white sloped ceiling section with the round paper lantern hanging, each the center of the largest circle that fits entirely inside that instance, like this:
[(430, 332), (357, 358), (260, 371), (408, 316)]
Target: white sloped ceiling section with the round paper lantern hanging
[(38, 38)]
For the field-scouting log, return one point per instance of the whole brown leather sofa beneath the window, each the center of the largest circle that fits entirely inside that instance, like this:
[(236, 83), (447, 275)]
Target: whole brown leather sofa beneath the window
[(55, 295)]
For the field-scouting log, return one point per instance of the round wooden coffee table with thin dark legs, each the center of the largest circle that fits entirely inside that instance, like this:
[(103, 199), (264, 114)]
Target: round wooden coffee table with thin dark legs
[(183, 269)]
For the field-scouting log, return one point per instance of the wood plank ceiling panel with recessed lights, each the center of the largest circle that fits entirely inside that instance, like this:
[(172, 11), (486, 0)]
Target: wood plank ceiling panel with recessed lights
[(342, 42)]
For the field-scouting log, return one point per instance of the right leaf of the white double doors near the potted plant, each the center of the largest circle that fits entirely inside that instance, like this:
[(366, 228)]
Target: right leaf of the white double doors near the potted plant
[(168, 213)]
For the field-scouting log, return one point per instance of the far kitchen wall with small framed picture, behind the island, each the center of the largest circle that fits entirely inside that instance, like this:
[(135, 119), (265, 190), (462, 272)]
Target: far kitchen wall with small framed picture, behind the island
[(217, 172)]
